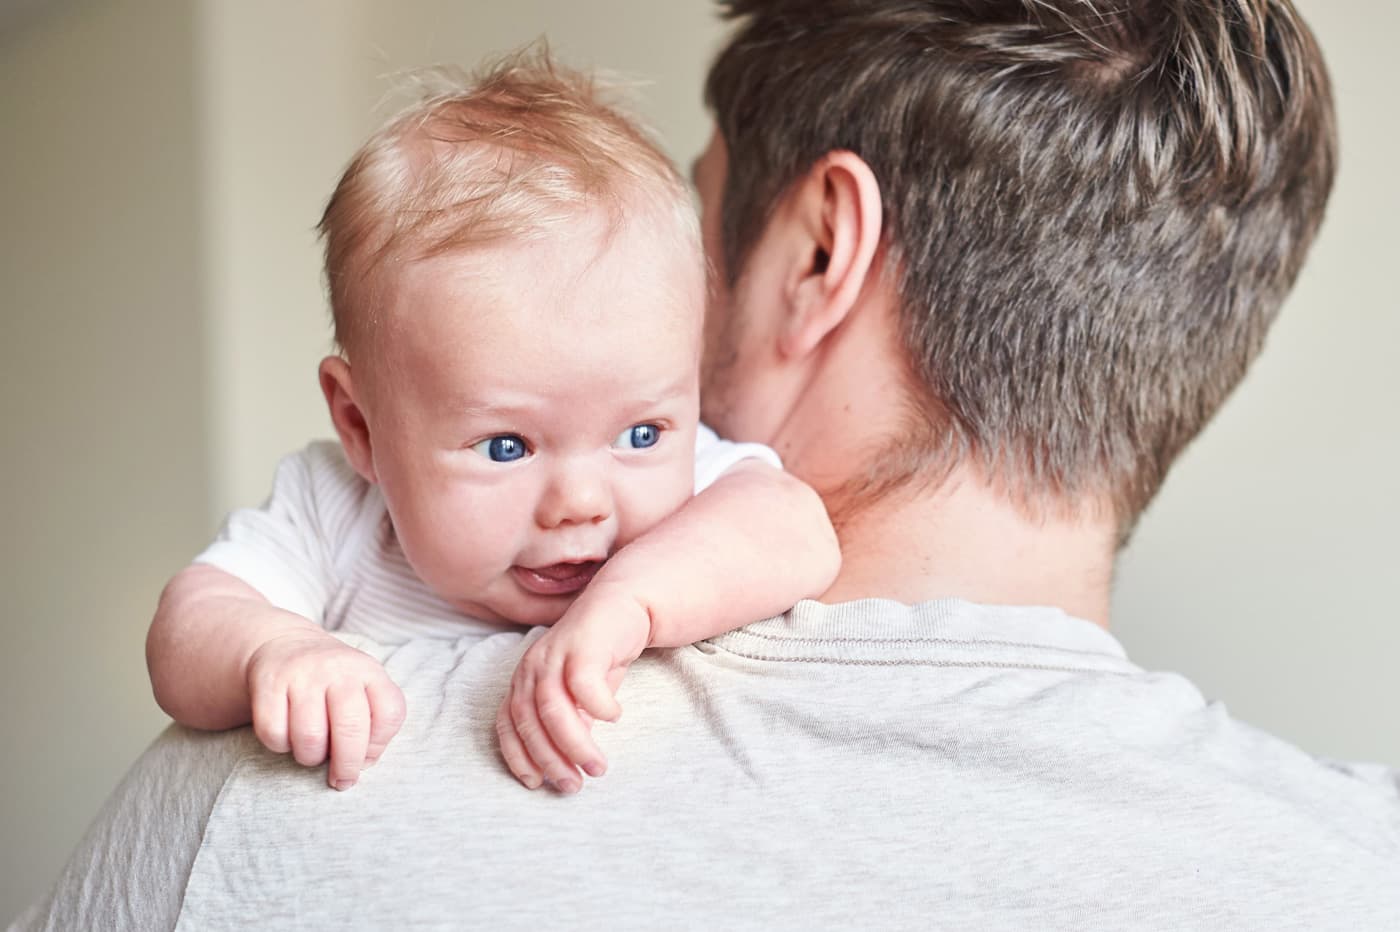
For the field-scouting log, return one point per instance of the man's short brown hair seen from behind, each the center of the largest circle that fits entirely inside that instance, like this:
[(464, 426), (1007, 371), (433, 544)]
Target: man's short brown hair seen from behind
[(1091, 211)]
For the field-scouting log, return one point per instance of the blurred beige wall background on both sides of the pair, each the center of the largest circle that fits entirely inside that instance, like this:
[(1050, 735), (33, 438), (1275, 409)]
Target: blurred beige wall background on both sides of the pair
[(162, 167)]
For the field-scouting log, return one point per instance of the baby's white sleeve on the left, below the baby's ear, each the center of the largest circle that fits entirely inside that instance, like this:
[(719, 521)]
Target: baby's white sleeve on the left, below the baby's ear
[(288, 548)]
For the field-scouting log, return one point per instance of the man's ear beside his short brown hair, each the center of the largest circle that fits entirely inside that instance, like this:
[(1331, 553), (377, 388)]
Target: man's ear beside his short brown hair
[(841, 212)]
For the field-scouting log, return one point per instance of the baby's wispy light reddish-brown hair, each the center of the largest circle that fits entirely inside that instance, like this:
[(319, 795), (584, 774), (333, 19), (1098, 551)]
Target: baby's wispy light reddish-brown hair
[(505, 155)]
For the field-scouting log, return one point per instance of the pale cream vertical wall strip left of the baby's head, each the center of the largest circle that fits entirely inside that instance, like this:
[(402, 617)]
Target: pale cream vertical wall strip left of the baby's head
[(279, 121)]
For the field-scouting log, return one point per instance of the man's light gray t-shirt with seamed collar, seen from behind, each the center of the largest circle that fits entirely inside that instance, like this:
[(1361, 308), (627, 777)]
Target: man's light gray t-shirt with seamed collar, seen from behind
[(857, 766)]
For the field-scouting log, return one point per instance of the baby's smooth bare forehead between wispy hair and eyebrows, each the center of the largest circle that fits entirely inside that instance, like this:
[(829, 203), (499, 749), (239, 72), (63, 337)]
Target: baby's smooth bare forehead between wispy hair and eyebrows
[(556, 321)]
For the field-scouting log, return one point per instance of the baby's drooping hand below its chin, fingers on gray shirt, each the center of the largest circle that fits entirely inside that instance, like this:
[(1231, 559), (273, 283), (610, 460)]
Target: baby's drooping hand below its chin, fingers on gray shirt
[(565, 682)]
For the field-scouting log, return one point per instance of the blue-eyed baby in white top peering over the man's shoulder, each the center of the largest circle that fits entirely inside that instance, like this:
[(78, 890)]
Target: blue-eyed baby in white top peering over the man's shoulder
[(519, 288)]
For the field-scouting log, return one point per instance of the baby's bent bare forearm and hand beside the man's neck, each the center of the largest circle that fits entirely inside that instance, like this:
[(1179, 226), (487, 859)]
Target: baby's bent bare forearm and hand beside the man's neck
[(747, 548)]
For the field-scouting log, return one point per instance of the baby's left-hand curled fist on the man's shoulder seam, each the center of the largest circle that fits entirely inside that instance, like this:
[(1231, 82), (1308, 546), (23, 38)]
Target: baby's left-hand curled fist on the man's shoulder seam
[(313, 695)]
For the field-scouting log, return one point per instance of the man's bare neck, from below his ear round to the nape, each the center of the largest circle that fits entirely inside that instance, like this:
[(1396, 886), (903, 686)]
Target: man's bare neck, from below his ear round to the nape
[(967, 538)]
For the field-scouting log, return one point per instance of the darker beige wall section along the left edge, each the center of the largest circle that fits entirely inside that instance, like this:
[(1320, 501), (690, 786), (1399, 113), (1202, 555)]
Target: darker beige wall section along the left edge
[(104, 454)]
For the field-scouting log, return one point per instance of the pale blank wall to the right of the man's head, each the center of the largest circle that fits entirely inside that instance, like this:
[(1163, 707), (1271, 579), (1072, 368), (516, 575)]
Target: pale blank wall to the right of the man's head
[(1266, 570)]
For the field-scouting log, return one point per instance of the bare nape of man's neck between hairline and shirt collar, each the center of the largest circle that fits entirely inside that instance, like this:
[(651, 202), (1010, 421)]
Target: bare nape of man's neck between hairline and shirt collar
[(968, 541)]
